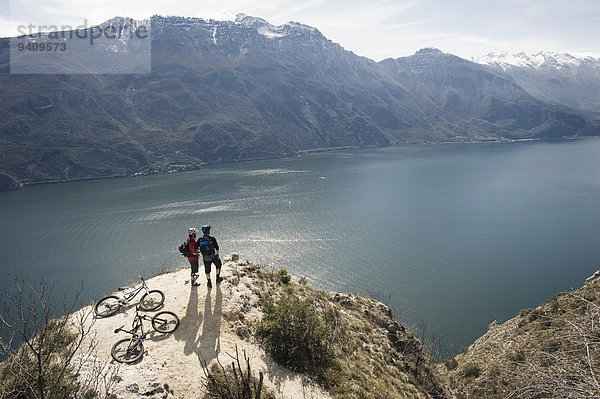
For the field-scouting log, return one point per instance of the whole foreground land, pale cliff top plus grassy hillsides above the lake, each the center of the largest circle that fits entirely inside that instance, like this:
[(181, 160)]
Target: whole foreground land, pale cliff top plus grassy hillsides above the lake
[(300, 343)]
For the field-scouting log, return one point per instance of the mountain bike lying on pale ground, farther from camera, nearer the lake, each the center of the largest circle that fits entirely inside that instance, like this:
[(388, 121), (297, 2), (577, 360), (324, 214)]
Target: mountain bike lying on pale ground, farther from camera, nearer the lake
[(109, 305)]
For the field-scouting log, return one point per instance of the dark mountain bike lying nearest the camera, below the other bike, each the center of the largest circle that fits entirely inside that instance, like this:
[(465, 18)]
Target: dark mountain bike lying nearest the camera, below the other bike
[(130, 350)]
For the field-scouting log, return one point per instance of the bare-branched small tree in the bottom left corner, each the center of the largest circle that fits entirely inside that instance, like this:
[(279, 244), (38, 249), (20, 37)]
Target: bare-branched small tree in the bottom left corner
[(39, 348)]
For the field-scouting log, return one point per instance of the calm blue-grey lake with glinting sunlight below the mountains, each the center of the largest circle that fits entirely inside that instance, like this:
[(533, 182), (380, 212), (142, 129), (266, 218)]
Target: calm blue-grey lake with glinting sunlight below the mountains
[(453, 236)]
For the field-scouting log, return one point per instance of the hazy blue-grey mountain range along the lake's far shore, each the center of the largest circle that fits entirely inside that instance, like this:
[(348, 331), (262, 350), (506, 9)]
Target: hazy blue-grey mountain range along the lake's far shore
[(245, 89)]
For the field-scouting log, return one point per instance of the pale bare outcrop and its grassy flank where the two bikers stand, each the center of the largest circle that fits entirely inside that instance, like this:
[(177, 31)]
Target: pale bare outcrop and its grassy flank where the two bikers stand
[(378, 359)]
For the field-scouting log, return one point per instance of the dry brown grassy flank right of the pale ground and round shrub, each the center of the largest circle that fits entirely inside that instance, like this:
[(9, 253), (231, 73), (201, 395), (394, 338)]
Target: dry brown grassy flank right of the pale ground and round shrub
[(378, 357)]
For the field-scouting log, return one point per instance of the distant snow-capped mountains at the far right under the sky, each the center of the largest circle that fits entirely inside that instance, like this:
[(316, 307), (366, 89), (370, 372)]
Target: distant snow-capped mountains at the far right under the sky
[(560, 78)]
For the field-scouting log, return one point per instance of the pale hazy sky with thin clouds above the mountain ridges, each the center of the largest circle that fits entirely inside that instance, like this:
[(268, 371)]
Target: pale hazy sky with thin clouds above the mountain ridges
[(376, 29)]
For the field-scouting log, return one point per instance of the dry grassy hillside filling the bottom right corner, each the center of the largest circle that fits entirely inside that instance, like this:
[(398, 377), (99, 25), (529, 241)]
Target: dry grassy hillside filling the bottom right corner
[(552, 351)]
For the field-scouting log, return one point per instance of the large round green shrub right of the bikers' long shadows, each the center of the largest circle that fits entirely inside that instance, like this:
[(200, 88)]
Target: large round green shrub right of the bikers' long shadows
[(297, 336)]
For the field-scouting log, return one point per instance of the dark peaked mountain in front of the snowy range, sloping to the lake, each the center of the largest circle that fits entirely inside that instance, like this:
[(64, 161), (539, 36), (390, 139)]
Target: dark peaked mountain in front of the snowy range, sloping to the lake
[(472, 102)]
